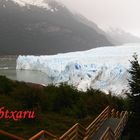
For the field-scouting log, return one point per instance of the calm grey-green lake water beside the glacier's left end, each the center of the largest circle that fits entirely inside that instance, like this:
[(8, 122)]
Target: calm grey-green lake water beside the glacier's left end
[(8, 69)]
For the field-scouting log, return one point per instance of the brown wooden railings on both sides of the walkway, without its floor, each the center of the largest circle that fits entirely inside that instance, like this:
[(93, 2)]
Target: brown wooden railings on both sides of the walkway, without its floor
[(78, 132)]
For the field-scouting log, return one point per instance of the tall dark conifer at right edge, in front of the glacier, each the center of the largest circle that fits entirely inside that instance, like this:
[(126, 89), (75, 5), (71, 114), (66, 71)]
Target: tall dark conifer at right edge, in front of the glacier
[(133, 126)]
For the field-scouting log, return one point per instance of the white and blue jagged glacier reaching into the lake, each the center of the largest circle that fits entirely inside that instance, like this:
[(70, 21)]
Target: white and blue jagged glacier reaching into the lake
[(104, 68)]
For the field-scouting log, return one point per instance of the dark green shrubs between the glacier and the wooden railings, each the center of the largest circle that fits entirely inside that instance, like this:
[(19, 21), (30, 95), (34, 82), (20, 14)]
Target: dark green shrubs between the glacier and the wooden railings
[(56, 108)]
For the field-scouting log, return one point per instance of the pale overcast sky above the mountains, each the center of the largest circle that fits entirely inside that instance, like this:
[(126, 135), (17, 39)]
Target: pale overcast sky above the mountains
[(124, 14)]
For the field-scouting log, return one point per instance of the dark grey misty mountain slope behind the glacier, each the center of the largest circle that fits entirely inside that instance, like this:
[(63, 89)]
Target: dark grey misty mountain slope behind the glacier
[(34, 30)]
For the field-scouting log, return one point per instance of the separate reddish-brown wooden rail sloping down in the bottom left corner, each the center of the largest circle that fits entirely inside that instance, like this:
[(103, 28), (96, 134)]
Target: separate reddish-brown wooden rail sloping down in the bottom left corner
[(9, 136)]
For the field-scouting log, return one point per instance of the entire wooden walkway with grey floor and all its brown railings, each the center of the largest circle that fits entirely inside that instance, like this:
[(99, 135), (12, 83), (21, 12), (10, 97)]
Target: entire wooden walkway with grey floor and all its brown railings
[(107, 126)]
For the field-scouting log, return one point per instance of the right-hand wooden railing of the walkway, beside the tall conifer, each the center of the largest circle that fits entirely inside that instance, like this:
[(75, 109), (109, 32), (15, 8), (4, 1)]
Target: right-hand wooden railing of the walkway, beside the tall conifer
[(109, 134)]
